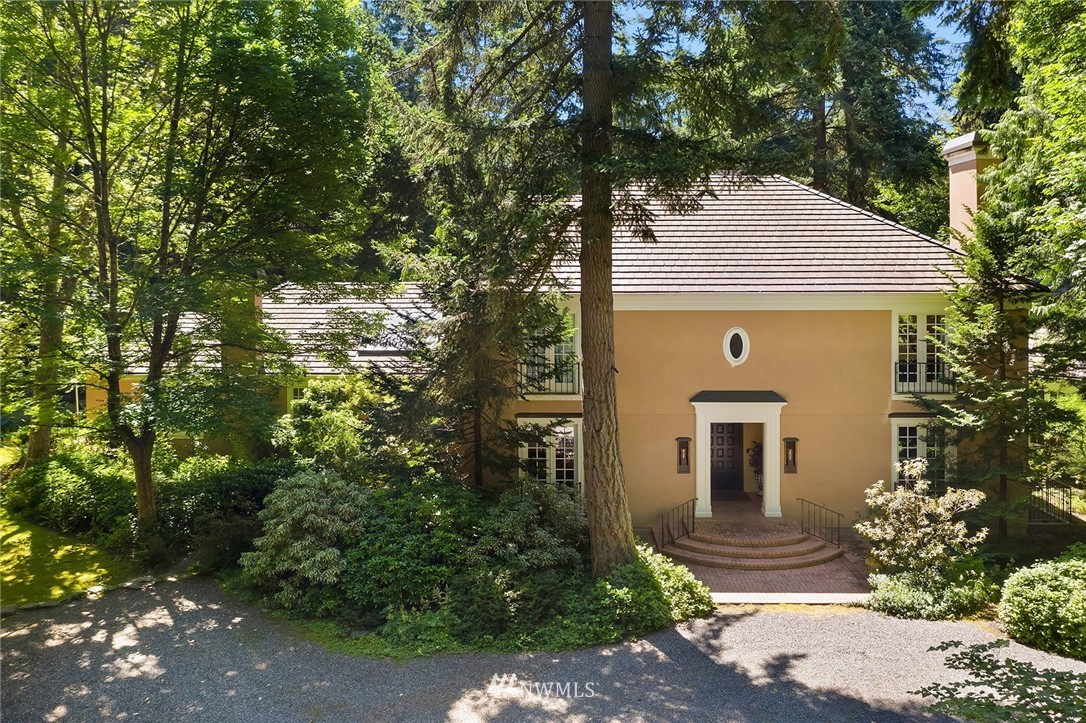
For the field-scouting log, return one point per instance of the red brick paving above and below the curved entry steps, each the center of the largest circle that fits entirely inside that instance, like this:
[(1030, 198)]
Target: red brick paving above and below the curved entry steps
[(845, 576)]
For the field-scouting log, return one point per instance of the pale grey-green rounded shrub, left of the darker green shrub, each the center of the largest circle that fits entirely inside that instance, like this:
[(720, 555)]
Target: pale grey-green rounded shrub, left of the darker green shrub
[(309, 521)]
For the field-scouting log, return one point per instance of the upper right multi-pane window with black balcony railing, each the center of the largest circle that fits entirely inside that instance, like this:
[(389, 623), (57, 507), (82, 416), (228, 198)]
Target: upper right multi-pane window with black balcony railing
[(918, 367)]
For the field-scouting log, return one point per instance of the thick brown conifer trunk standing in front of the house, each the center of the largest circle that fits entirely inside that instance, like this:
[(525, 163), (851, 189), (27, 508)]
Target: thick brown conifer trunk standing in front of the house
[(610, 527)]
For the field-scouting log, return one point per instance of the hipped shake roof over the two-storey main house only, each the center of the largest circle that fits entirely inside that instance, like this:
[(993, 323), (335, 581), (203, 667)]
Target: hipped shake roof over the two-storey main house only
[(775, 236)]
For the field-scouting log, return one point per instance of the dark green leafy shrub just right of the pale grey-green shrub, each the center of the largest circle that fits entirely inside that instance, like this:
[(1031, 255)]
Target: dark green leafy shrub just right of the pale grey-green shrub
[(413, 542)]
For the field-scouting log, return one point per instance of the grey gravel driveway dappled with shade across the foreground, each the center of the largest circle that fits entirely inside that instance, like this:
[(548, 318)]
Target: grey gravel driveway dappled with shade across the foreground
[(186, 651)]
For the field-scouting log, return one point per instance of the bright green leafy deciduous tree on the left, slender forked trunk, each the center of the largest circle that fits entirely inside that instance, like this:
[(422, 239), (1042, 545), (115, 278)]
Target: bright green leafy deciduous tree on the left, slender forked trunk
[(209, 150)]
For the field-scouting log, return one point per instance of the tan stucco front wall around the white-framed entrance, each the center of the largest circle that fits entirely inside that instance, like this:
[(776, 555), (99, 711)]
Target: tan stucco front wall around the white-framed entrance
[(834, 367)]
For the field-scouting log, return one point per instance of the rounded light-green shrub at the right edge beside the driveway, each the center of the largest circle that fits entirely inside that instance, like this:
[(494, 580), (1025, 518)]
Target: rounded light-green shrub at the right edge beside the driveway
[(1045, 606)]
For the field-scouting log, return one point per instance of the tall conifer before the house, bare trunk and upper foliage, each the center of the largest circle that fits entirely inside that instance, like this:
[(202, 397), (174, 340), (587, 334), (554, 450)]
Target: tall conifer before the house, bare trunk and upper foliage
[(605, 112)]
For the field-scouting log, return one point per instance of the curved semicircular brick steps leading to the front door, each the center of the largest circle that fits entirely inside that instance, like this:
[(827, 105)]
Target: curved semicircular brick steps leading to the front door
[(784, 551)]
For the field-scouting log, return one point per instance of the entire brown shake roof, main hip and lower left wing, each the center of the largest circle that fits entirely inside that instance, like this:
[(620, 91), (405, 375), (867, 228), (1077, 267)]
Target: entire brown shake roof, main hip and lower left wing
[(775, 236)]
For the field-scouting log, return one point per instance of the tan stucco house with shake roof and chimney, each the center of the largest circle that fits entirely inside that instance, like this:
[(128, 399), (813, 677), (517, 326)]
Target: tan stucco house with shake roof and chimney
[(775, 316)]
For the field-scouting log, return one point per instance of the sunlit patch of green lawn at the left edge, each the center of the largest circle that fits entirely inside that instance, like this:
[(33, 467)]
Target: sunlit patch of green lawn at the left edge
[(37, 565)]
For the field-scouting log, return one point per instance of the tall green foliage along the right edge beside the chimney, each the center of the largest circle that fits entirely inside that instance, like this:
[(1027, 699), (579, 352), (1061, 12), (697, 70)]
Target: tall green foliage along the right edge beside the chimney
[(1012, 345)]
